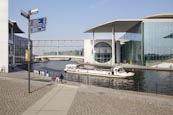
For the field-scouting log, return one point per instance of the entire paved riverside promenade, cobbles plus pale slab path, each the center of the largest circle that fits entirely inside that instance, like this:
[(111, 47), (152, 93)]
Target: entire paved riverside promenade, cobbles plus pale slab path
[(71, 98)]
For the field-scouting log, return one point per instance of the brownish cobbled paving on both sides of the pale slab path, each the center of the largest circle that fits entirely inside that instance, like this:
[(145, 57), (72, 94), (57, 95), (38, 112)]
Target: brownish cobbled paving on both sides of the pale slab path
[(89, 100)]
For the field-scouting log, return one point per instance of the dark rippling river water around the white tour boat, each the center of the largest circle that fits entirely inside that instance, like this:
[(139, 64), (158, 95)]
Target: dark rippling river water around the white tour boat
[(160, 82)]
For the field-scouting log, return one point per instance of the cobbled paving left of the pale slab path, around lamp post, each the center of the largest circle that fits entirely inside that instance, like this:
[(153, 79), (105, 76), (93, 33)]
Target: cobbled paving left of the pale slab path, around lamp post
[(14, 96)]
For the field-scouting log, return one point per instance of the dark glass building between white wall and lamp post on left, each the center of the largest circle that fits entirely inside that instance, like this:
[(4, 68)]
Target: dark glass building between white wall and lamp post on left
[(16, 45)]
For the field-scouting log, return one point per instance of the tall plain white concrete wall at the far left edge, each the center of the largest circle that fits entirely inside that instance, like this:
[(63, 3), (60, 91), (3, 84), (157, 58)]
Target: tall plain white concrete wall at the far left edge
[(4, 34)]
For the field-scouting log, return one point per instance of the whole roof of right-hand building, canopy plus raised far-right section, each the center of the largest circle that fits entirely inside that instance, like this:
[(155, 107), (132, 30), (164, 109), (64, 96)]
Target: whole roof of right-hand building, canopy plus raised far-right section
[(125, 25)]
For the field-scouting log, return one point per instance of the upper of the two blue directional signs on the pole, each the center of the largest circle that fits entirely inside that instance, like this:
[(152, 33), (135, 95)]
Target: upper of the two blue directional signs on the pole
[(38, 22)]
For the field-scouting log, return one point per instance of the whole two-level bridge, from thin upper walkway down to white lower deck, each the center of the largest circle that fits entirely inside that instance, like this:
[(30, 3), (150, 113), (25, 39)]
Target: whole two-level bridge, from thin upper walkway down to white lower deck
[(44, 50)]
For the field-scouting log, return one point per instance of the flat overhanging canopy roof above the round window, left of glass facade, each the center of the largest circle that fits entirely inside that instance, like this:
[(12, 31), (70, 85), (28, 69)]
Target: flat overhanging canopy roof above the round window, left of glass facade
[(122, 25)]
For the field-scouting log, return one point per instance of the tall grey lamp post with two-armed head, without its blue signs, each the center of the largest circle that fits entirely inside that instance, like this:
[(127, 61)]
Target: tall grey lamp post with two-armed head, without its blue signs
[(27, 16)]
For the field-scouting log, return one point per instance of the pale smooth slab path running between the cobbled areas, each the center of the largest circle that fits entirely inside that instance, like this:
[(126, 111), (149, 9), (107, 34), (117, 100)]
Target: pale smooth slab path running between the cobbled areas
[(56, 102)]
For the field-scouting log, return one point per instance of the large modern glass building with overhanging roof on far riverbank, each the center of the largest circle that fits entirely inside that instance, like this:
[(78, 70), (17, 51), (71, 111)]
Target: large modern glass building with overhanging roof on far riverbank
[(147, 41)]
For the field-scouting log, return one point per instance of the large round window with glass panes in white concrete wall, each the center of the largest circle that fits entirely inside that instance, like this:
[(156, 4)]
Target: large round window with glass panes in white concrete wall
[(103, 52)]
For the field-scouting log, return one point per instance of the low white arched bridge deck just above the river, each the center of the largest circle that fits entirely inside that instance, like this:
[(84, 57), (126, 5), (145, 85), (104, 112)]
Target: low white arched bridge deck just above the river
[(59, 57)]
